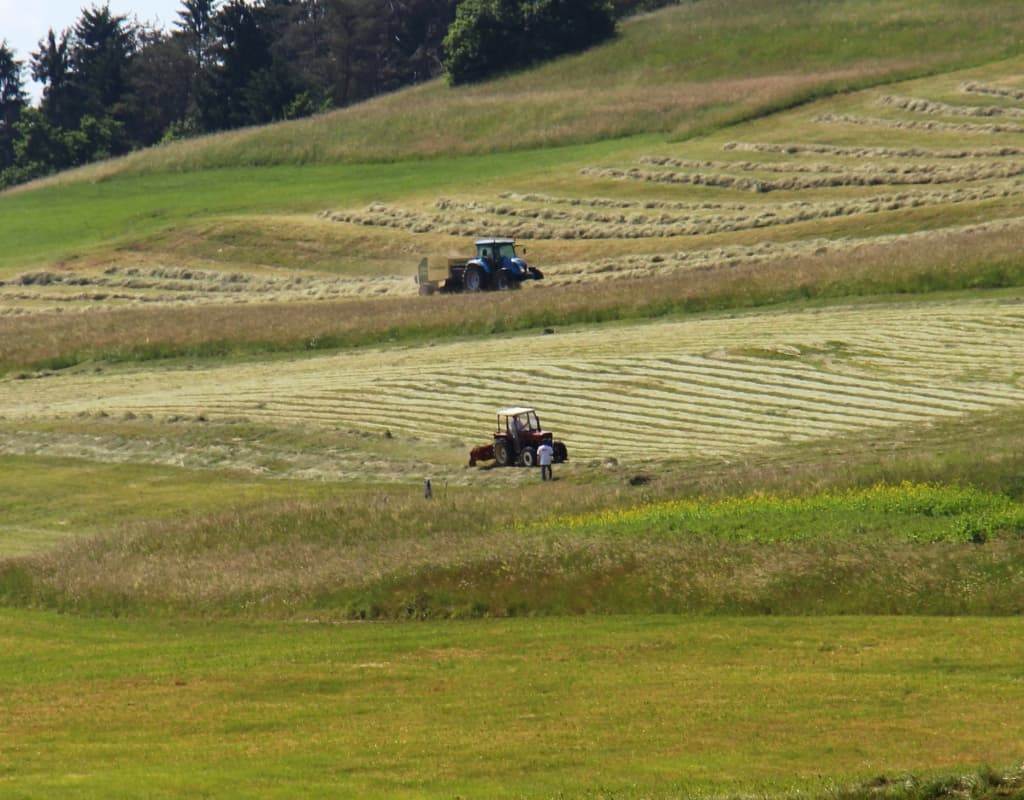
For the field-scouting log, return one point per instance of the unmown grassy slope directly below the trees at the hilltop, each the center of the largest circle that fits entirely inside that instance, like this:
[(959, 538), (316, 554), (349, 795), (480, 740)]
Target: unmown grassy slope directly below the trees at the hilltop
[(670, 72)]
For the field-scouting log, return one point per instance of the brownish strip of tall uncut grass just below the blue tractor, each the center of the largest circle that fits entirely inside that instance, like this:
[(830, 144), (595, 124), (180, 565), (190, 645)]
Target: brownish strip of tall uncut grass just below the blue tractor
[(953, 263)]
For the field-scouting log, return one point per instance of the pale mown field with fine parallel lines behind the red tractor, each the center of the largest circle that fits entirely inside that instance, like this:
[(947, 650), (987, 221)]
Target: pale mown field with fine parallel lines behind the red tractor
[(698, 388)]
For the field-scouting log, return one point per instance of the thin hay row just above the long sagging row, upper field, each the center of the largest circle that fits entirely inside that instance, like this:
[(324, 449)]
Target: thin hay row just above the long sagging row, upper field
[(914, 173)]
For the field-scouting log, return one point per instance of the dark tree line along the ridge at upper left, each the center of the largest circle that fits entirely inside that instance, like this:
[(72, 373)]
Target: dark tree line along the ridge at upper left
[(112, 85)]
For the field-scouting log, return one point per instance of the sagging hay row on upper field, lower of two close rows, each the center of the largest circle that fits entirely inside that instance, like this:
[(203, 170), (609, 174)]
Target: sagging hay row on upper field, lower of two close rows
[(868, 178)]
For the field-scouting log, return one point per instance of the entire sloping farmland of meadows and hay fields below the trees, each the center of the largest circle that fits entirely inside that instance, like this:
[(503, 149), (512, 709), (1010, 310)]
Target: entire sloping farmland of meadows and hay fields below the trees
[(782, 331)]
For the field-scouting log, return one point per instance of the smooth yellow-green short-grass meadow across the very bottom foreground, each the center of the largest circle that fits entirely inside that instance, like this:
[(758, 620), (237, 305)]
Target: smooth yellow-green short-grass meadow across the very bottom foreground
[(639, 707)]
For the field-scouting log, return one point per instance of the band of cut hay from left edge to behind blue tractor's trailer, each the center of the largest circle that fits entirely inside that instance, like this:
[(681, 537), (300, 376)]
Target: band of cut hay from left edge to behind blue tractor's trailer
[(170, 286)]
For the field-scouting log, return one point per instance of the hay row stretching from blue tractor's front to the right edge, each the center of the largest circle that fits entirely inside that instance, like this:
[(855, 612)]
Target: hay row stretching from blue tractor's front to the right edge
[(730, 257)]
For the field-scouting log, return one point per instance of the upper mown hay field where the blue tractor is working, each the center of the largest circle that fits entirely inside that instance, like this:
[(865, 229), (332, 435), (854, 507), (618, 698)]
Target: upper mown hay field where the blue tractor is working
[(930, 156)]
